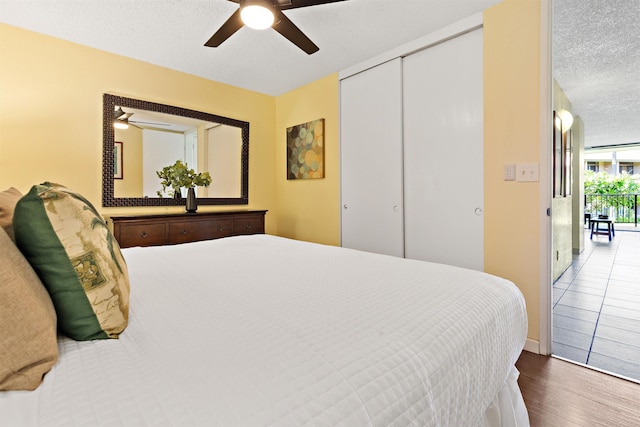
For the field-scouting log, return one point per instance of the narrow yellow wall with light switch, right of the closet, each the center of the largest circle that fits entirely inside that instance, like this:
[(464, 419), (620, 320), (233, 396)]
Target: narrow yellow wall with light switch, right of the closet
[(512, 135)]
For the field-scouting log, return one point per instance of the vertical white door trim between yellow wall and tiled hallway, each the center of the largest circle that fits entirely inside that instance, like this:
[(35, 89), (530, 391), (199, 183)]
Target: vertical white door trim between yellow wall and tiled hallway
[(546, 107)]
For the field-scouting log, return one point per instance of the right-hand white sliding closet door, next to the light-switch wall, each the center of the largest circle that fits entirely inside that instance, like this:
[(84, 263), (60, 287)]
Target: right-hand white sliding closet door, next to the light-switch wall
[(443, 158)]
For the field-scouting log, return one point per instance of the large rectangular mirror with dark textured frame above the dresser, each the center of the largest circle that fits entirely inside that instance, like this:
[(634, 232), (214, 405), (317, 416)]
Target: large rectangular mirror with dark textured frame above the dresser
[(151, 136)]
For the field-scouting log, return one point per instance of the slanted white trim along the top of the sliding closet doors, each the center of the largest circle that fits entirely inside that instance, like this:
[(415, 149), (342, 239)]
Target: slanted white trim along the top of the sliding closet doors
[(450, 31)]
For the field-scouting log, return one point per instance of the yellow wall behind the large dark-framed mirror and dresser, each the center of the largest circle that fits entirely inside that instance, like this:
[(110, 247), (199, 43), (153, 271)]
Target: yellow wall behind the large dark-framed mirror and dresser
[(51, 115)]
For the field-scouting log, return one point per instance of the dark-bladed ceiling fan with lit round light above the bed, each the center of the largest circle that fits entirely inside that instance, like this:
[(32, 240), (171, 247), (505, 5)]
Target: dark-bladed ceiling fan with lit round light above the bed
[(262, 14)]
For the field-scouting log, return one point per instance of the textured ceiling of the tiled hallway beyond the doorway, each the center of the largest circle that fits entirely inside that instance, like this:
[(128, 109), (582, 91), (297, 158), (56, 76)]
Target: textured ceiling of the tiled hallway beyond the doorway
[(596, 61)]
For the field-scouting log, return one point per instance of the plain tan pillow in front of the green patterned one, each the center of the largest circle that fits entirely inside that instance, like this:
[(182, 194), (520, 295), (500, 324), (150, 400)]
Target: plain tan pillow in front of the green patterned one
[(28, 341)]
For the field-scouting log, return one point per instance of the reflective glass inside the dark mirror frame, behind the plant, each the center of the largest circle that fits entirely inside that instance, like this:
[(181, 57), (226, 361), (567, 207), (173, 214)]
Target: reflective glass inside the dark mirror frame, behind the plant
[(155, 140)]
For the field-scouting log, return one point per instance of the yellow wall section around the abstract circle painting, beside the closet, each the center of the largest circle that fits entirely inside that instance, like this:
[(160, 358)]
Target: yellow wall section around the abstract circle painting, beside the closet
[(309, 209)]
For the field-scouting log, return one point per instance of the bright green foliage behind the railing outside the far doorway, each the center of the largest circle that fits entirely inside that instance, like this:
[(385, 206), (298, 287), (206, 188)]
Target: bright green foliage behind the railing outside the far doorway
[(604, 191)]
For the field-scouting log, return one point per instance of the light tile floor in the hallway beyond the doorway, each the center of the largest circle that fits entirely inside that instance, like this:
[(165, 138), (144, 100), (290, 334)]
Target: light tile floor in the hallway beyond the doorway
[(596, 305)]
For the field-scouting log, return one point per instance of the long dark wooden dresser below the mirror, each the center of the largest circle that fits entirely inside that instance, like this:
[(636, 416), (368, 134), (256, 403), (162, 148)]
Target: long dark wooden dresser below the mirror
[(169, 229)]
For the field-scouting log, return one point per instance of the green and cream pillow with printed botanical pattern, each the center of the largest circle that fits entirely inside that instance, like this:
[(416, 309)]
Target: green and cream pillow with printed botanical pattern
[(68, 244)]
